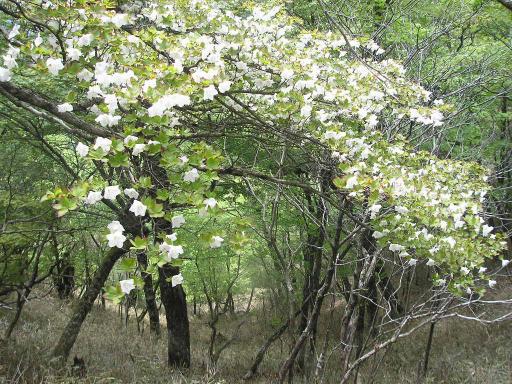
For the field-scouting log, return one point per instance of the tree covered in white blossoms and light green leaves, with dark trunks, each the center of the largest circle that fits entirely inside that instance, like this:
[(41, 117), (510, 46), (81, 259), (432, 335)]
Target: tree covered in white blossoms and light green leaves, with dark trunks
[(158, 93)]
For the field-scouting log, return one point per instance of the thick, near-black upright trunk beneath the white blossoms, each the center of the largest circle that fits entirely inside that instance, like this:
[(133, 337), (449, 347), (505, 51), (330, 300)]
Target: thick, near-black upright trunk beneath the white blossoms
[(175, 304)]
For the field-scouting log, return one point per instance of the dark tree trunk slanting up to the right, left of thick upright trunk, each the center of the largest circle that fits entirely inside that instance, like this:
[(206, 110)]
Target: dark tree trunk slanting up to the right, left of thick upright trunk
[(69, 334)]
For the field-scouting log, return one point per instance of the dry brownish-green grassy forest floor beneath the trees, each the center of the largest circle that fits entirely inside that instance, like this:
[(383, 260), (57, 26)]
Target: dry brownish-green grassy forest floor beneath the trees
[(462, 352)]
